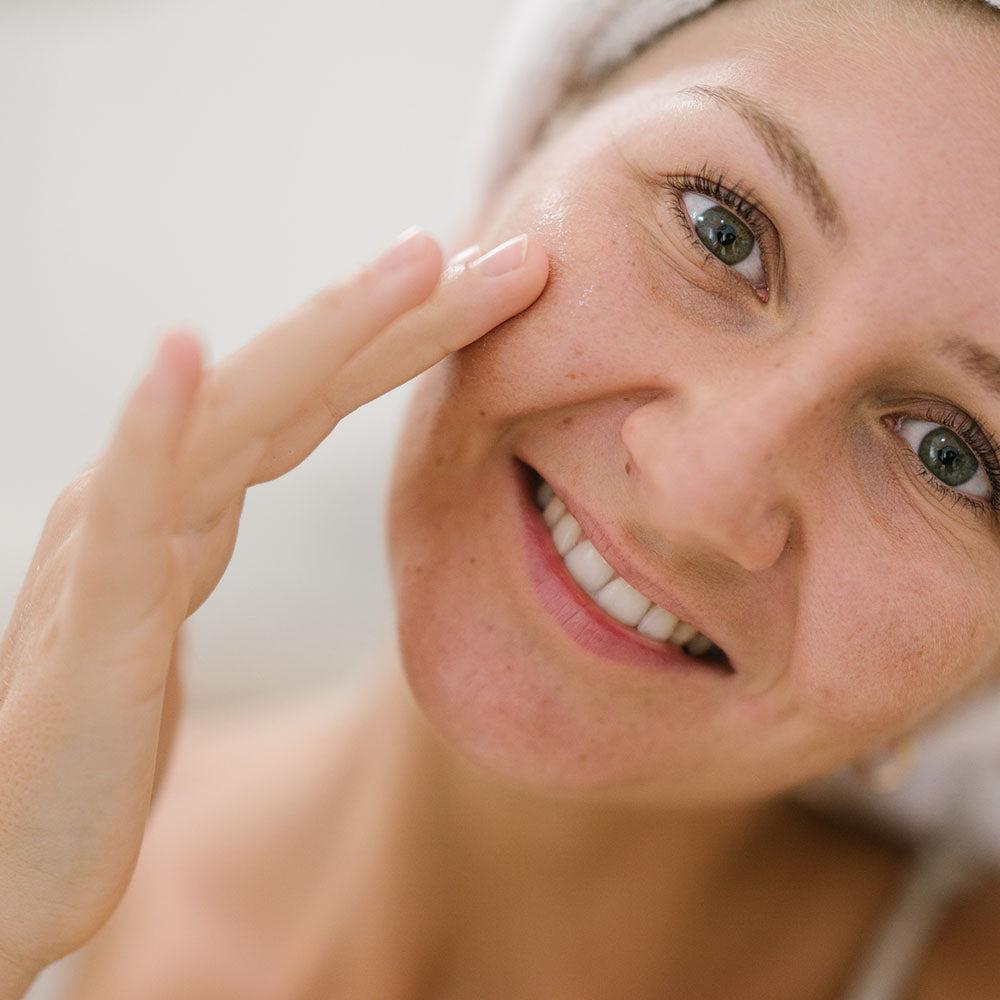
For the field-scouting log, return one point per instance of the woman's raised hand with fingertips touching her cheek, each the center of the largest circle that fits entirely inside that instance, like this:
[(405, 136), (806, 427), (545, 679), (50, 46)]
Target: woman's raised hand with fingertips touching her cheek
[(139, 540)]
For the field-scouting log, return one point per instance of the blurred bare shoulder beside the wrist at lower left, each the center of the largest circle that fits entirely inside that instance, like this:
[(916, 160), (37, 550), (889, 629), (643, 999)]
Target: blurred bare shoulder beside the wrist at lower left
[(227, 857)]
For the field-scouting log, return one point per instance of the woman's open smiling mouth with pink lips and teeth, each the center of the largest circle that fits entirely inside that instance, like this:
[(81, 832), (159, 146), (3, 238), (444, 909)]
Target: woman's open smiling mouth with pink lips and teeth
[(604, 604)]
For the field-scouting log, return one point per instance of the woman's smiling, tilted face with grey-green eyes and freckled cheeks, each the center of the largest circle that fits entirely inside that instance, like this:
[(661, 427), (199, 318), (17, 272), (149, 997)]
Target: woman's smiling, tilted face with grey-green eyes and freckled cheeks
[(754, 444)]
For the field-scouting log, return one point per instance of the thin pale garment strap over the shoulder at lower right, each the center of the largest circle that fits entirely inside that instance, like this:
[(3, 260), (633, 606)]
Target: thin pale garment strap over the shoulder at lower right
[(941, 872)]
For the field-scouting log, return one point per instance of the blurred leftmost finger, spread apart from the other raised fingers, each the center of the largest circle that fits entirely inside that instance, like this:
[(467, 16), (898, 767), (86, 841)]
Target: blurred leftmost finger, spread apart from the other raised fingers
[(123, 561)]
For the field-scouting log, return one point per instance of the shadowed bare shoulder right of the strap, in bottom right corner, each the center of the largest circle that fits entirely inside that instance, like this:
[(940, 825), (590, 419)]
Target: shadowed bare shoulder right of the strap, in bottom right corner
[(964, 960)]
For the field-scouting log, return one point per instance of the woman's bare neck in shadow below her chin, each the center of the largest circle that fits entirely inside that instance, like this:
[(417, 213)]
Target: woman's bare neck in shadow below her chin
[(455, 866)]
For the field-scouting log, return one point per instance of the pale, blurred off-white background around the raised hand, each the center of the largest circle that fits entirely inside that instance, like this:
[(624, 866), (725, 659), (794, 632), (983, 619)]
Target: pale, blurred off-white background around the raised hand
[(214, 162)]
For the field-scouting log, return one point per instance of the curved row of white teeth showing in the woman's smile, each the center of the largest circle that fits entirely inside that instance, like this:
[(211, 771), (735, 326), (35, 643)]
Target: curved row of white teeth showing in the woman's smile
[(617, 597)]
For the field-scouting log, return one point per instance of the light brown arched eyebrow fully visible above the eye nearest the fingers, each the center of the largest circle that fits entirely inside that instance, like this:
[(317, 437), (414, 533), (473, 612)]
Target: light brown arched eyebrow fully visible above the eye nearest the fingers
[(783, 144)]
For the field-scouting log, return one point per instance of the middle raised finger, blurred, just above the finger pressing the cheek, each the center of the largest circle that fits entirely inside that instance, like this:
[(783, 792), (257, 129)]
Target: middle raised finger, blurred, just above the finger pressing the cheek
[(274, 377)]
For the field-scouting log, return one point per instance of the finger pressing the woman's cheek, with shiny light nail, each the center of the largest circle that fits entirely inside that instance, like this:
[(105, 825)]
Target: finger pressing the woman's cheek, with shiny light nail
[(474, 296)]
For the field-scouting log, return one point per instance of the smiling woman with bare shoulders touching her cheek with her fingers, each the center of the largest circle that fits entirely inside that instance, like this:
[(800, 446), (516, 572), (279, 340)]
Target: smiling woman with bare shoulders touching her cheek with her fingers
[(754, 400)]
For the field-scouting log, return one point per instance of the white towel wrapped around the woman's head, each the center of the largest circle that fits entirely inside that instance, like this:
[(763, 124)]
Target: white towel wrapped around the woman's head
[(552, 46)]
